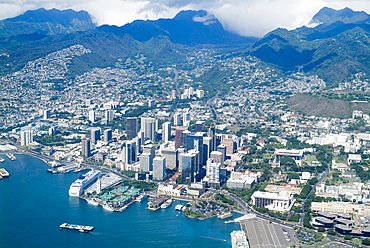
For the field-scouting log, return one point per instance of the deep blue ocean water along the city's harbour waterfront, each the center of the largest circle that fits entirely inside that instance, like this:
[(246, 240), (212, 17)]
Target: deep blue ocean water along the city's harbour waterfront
[(33, 203)]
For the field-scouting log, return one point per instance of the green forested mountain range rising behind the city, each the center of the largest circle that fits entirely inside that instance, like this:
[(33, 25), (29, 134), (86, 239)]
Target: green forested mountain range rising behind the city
[(335, 48)]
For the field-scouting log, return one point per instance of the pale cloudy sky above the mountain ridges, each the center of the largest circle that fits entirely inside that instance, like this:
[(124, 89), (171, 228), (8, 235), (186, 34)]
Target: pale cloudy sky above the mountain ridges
[(244, 17)]
